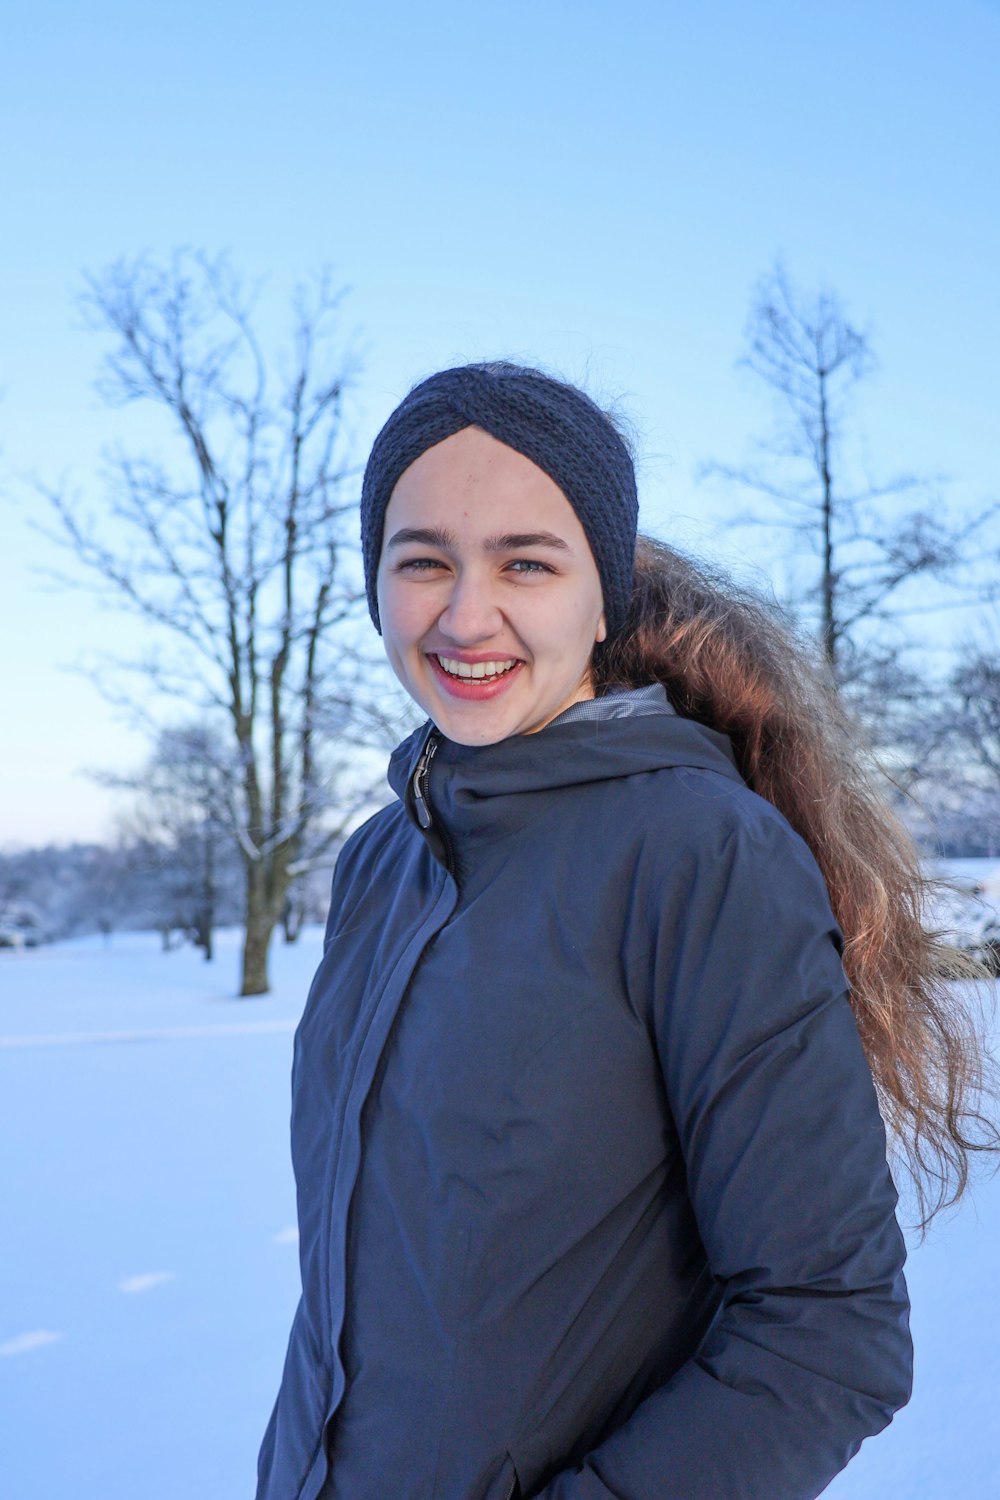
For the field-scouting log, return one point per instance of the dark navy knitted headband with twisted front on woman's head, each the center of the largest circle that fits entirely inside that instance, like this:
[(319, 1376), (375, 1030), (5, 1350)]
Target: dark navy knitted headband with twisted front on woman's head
[(552, 424)]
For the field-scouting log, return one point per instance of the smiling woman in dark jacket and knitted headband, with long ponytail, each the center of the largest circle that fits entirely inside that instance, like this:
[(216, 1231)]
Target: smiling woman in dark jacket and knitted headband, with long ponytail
[(591, 1171)]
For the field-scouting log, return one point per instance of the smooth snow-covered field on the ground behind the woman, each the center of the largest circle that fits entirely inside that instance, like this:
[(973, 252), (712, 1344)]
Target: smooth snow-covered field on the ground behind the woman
[(148, 1261)]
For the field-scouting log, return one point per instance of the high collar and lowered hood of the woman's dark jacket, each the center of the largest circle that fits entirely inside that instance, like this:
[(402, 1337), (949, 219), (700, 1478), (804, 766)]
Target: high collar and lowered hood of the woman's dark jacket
[(481, 787)]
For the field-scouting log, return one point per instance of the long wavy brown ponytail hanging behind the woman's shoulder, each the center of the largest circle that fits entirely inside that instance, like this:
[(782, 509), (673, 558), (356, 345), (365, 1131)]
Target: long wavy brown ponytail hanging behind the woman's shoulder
[(735, 662)]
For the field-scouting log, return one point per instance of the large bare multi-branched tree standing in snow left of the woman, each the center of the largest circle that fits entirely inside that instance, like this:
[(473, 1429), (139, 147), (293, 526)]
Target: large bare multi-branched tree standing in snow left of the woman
[(235, 551)]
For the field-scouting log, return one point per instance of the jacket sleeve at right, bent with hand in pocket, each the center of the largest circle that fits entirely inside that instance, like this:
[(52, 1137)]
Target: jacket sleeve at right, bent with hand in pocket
[(777, 1118)]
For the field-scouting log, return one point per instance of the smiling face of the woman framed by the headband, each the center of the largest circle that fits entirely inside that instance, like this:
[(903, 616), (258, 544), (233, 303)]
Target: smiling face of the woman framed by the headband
[(488, 592)]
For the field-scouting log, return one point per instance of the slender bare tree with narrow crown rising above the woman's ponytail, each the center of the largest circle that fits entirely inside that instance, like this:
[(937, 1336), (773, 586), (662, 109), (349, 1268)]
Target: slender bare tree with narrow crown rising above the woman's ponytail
[(869, 548)]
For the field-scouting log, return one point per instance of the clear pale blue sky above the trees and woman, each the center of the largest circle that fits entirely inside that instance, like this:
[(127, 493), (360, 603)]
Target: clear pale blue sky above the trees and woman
[(591, 185)]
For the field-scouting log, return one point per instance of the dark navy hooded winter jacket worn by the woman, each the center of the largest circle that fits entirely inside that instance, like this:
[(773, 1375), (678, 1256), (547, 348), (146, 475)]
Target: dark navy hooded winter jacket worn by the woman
[(591, 1177)]
